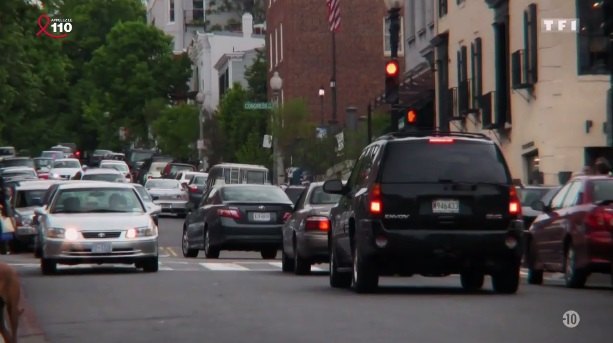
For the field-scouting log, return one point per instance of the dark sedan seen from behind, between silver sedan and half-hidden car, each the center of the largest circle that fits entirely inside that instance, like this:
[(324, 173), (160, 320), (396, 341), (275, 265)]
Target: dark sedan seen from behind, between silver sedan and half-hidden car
[(237, 217)]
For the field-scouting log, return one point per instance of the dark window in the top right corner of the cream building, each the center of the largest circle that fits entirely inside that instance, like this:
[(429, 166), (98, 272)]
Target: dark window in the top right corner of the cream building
[(593, 44)]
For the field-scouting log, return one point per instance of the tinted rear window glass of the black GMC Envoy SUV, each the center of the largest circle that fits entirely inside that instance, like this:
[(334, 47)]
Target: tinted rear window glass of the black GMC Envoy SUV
[(460, 161)]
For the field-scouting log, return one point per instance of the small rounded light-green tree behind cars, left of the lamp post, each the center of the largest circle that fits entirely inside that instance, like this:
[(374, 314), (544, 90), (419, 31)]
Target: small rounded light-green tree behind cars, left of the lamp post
[(177, 130)]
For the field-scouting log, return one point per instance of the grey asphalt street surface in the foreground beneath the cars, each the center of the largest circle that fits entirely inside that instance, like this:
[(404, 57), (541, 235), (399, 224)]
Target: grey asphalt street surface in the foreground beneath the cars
[(242, 298)]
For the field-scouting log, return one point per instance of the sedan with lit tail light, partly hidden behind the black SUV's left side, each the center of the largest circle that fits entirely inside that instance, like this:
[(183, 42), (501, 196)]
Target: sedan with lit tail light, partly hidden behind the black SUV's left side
[(305, 235)]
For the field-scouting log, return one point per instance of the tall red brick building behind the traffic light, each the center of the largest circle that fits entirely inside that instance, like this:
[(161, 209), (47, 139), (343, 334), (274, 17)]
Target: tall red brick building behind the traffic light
[(299, 47)]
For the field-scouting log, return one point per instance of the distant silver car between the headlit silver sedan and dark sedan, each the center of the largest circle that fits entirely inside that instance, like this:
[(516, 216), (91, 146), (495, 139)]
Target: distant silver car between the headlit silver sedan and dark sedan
[(168, 194)]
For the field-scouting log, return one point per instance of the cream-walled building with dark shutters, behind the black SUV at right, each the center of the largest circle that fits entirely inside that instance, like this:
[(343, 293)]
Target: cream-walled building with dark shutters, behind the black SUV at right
[(541, 95)]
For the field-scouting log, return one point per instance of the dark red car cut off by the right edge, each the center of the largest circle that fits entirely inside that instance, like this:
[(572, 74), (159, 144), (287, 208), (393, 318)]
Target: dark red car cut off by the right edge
[(574, 234)]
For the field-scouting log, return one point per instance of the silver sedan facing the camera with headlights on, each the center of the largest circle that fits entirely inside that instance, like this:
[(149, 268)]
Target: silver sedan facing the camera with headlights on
[(97, 222)]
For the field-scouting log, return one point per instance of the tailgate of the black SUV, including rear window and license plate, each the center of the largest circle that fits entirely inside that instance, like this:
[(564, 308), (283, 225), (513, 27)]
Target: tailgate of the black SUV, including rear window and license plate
[(447, 184)]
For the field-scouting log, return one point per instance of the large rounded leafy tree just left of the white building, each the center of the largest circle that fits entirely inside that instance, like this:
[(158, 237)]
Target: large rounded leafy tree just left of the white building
[(135, 65)]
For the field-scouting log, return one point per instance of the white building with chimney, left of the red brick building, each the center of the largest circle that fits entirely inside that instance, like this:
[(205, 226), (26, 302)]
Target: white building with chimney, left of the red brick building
[(208, 48)]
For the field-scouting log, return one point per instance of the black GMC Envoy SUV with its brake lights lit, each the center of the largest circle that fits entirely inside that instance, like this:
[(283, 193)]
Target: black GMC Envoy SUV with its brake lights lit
[(431, 203)]
